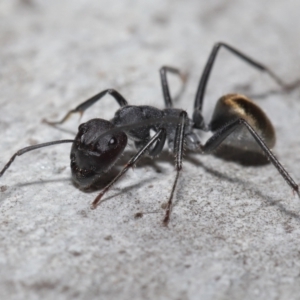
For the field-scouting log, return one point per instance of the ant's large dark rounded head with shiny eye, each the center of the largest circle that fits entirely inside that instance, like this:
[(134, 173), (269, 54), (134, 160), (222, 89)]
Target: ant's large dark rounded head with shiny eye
[(94, 152)]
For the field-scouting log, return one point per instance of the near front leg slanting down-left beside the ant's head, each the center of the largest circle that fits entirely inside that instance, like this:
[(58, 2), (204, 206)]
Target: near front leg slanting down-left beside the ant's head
[(130, 164)]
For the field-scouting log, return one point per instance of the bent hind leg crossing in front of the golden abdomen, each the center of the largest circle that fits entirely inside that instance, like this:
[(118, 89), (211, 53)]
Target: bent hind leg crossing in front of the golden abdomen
[(227, 129)]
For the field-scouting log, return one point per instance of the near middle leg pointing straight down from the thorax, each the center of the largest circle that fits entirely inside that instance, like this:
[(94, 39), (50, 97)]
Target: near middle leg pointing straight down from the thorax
[(178, 149)]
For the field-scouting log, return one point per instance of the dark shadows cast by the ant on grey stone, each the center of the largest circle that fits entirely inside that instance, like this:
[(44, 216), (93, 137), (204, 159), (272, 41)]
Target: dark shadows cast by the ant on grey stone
[(165, 157)]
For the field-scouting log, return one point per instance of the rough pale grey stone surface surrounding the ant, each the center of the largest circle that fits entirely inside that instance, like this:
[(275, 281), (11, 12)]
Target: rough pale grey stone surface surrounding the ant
[(234, 231)]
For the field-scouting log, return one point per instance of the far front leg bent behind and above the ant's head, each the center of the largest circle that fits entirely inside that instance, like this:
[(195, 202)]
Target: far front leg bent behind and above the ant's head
[(89, 102)]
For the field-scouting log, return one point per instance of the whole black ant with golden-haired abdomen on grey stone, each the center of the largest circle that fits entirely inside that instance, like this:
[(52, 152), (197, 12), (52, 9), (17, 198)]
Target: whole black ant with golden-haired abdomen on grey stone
[(99, 143)]
